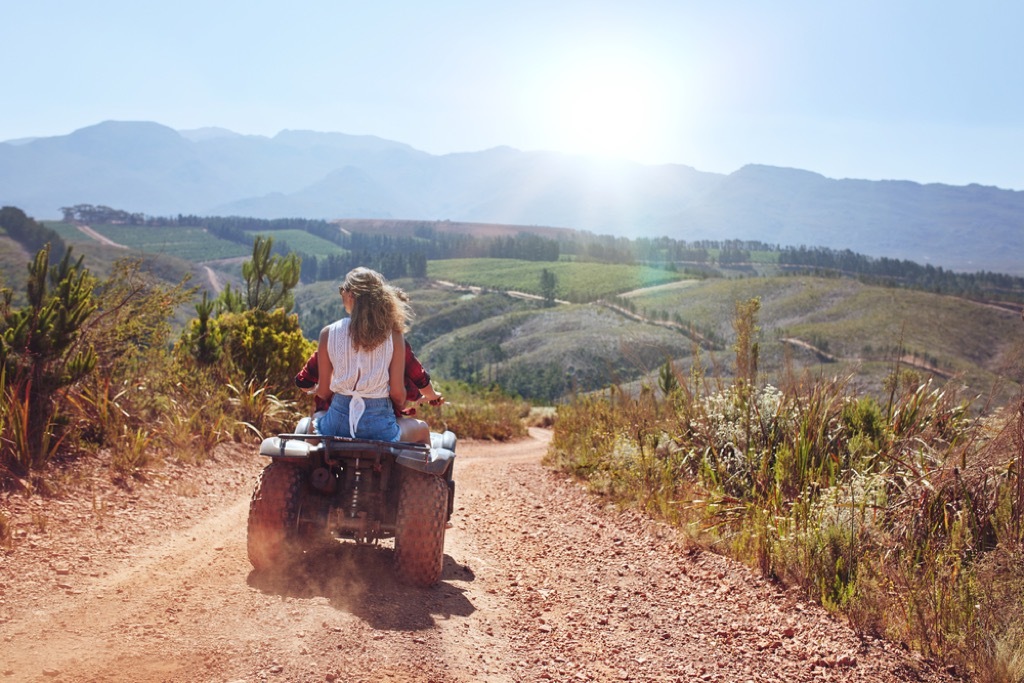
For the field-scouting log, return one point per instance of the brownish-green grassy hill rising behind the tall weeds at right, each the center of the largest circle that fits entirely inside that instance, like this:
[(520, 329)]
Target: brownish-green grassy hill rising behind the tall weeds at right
[(861, 325)]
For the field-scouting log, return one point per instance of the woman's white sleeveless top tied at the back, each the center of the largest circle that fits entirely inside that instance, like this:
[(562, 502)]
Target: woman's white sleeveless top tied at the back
[(360, 374)]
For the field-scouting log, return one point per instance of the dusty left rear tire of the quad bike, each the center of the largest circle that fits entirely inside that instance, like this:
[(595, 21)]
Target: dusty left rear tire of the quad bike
[(274, 515)]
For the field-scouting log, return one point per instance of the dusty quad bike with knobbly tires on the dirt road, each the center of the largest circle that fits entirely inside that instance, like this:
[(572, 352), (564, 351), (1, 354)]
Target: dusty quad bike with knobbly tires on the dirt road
[(319, 488)]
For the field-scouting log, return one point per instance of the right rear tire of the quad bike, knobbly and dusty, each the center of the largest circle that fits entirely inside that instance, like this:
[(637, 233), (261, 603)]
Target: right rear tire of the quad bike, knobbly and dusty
[(419, 538)]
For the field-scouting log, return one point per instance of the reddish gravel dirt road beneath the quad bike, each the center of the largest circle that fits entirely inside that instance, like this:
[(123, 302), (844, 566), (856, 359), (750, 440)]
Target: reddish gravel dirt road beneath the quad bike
[(541, 582)]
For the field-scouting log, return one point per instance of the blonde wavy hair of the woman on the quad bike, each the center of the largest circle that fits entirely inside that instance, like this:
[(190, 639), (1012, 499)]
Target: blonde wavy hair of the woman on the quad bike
[(378, 309)]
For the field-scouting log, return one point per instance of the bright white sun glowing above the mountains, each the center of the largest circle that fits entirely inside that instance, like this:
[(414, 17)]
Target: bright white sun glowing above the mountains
[(607, 108)]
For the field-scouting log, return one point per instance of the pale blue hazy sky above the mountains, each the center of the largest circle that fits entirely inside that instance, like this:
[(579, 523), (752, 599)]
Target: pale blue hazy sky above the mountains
[(930, 92)]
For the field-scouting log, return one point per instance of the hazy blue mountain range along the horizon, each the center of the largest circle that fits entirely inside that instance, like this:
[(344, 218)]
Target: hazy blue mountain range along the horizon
[(151, 168)]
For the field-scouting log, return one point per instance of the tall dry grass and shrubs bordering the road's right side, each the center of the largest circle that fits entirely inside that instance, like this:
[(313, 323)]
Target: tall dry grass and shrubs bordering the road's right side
[(889, 515)]
